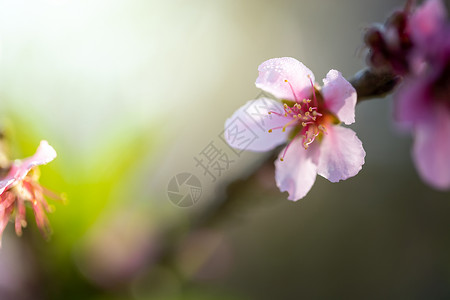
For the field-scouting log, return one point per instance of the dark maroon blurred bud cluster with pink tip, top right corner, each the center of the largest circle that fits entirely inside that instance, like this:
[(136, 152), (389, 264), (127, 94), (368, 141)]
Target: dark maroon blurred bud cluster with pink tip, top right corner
[(404, 42)]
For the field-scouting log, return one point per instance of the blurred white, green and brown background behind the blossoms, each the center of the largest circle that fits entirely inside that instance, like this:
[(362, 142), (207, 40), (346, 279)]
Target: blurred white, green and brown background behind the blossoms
[(131, 93)]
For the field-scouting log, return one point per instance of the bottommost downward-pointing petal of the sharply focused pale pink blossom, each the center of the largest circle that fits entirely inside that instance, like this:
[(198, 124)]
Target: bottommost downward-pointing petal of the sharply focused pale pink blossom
[(296, 174)]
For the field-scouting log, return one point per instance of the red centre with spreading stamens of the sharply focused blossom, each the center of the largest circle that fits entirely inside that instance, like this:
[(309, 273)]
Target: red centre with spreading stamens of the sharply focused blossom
[(304, 117)]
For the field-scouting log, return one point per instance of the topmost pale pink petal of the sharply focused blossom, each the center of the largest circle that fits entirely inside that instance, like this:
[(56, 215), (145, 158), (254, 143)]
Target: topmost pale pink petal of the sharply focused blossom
[(274, 72)]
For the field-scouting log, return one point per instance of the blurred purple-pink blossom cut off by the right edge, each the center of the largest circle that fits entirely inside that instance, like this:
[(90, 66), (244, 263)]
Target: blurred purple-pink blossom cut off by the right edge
[(423, 101)]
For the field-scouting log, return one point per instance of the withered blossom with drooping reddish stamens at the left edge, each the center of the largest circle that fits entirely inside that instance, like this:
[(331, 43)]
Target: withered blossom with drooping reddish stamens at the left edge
[(20, 186)]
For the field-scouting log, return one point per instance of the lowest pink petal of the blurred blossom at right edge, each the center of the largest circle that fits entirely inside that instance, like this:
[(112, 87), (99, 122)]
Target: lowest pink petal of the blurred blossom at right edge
[(431, 151)]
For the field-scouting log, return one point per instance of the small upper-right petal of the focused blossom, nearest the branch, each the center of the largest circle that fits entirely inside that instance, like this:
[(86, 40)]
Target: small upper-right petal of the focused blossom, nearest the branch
[(340, 96)]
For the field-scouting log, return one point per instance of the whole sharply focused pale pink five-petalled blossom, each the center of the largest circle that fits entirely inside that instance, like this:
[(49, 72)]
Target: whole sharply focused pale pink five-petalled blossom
[(308, 118)]
